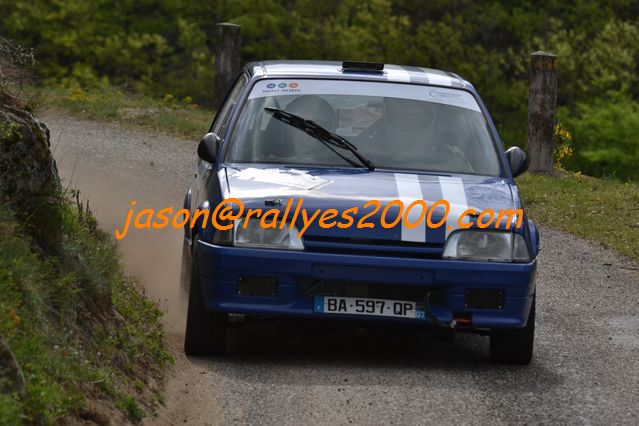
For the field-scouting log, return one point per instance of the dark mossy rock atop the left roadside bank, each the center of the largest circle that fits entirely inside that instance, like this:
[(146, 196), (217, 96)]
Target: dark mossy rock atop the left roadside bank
[(29, 180)]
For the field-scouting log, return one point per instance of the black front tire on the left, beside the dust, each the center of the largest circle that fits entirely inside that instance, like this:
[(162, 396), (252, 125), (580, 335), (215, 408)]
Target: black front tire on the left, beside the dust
[(205, 330)]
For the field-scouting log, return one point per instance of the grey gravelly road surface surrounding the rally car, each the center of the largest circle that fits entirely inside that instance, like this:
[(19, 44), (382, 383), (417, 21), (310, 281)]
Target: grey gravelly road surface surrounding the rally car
[(585, 370)]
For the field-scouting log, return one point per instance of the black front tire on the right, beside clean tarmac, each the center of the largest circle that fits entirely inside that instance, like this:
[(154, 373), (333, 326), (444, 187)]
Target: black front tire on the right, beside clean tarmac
[(514, 347)]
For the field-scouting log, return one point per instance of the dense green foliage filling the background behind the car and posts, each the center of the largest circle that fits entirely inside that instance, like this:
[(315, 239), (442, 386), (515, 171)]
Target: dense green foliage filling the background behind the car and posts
[(167, 45)]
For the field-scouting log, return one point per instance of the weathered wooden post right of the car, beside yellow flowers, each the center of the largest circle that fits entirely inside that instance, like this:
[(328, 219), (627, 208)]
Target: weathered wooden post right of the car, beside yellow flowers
[(542, 102)]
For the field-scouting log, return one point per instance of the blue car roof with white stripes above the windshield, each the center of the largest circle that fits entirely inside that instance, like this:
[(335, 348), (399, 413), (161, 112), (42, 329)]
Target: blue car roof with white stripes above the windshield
[(333, 70)]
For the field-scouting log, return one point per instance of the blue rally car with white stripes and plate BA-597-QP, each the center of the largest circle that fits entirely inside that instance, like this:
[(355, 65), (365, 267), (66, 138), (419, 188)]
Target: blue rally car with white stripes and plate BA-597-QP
[(336, 136)]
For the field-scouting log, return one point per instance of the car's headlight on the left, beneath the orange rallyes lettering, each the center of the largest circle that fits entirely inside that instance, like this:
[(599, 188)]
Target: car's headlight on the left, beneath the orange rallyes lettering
[(254, 235)]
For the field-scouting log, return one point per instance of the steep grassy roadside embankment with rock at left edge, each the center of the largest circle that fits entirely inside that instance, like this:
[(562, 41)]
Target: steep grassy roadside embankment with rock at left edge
[(78, 339)]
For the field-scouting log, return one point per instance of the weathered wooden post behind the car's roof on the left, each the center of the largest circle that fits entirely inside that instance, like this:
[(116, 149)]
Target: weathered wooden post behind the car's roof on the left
[(227, 59)]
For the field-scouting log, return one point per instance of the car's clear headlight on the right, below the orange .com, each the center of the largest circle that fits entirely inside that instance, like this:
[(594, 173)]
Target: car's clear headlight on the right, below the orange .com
[(486, 246)]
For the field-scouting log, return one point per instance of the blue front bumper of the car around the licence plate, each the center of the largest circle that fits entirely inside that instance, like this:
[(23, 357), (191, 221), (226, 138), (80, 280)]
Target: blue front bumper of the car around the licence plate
[(222, 267)]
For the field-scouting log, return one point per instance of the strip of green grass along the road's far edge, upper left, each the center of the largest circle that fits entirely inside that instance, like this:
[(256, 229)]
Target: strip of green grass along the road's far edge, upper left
[(177, 117)]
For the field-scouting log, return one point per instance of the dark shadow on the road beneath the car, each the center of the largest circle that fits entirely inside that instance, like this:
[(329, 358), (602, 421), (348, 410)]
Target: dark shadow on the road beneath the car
[(288, 351)]
